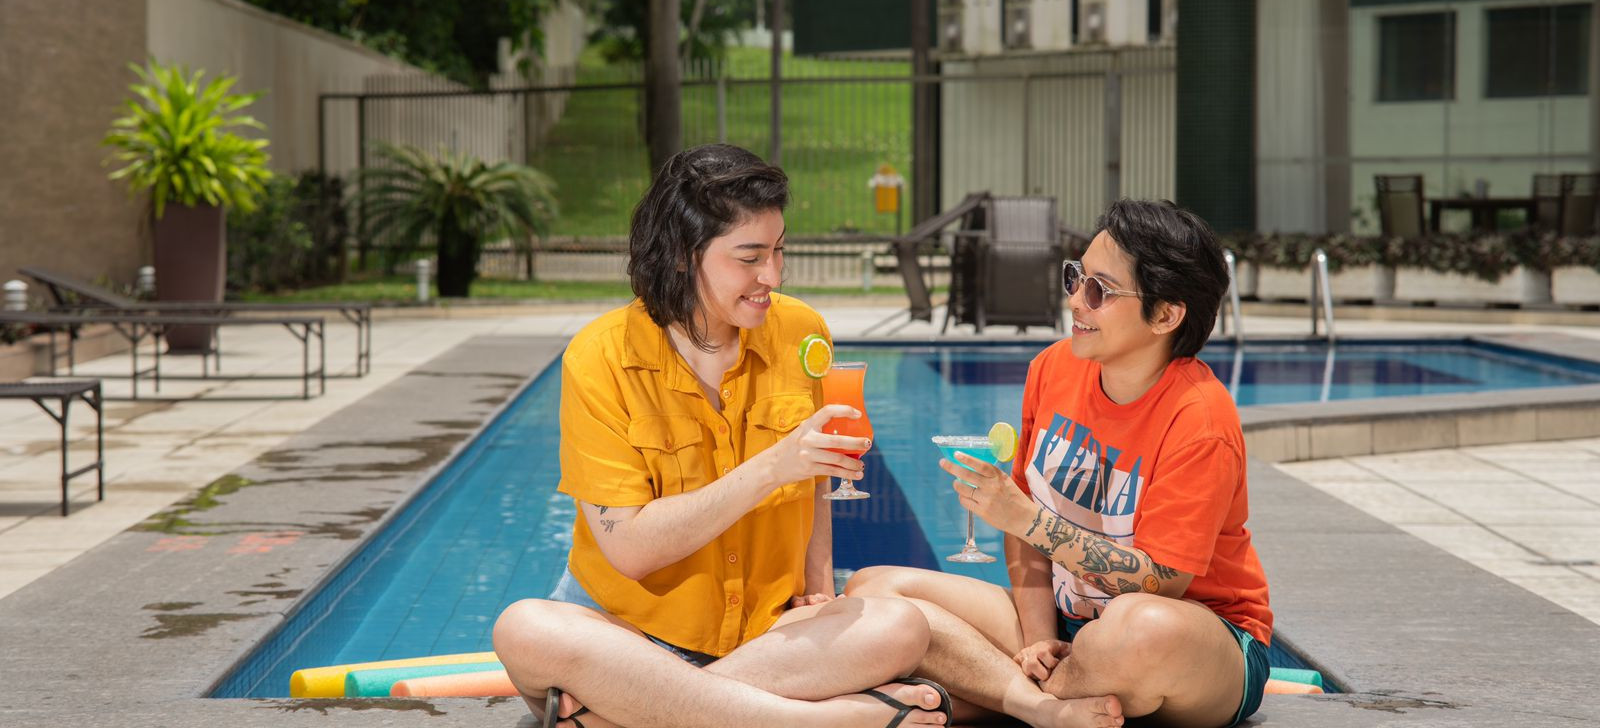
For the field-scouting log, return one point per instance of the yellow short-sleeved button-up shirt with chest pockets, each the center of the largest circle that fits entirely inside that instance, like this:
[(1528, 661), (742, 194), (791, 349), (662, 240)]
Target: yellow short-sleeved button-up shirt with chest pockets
[(638, 426)]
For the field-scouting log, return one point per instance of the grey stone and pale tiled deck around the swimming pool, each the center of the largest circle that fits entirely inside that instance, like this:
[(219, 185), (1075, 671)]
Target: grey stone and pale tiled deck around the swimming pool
[(142, 625)]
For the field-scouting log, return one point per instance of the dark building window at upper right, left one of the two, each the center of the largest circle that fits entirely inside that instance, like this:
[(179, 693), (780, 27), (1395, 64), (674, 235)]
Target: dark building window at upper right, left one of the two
[(1417, 57)]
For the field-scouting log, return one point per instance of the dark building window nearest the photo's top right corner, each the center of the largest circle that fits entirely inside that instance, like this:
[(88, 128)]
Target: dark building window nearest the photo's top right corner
[(1538, 52)]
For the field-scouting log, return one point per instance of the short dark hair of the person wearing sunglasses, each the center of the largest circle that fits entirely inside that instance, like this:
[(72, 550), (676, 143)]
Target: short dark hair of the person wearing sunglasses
[(1177, 258)]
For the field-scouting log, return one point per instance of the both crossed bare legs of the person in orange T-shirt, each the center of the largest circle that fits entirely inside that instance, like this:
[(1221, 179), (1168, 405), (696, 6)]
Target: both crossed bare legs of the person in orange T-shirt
[(1146, 655)]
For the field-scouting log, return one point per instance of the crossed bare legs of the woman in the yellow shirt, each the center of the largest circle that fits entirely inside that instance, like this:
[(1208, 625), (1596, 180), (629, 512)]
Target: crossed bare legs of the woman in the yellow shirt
[(806, 670)]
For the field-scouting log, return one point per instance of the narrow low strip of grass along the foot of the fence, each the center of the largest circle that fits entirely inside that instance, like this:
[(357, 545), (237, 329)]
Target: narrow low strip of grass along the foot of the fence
[(402, 289)]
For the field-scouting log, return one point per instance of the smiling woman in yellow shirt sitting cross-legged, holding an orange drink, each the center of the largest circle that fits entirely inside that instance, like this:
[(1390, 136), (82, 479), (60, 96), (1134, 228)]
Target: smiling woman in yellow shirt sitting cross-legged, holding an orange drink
[(700, 582)]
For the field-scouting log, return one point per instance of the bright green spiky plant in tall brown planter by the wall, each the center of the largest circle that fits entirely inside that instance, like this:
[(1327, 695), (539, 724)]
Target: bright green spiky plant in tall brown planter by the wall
[(177, 143)]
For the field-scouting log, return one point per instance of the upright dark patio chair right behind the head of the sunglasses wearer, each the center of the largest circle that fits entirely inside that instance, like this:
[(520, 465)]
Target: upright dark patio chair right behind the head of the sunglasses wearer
[(1018, 265)]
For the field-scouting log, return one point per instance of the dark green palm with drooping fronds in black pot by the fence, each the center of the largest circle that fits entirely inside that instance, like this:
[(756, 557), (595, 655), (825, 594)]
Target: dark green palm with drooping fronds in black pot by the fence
[(457, 201)]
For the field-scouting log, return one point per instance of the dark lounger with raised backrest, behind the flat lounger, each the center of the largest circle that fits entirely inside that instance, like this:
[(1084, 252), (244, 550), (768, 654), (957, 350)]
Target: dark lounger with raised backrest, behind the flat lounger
[(79, 295)]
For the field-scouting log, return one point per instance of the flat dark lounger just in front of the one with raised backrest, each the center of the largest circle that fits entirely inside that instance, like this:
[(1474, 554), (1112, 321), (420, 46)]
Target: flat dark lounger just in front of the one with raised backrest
[(140, 327)]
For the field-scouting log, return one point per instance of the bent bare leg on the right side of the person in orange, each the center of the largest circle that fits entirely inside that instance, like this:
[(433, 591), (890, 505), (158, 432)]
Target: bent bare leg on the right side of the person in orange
[(1167, 658)]
